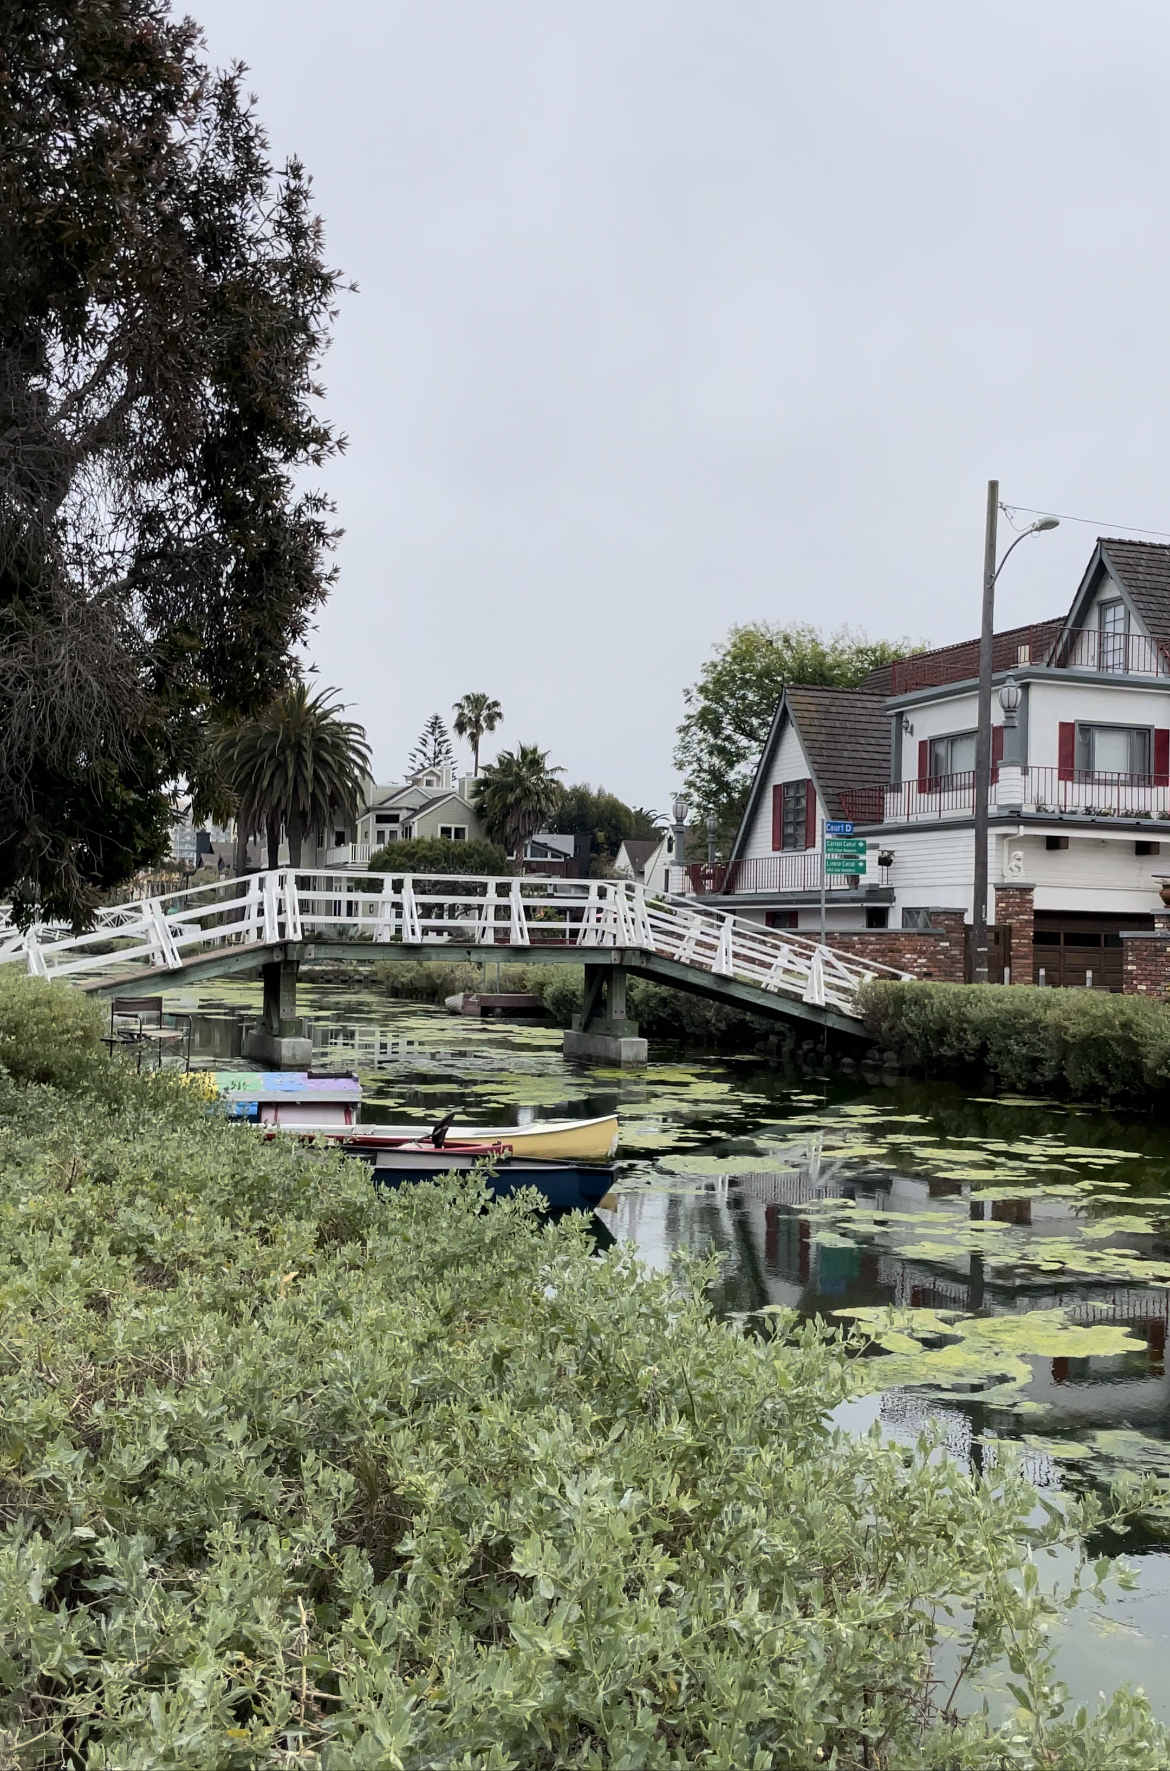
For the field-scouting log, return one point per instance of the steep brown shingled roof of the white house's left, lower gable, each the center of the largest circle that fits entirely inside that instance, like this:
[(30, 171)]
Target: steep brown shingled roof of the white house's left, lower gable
[(845, 736)]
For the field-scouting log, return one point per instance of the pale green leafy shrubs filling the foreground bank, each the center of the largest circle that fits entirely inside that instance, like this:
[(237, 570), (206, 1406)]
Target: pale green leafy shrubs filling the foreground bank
[(293, 1474)]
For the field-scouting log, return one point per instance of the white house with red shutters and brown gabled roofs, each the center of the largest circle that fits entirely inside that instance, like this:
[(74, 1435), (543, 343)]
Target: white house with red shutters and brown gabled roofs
[(1081, 800)]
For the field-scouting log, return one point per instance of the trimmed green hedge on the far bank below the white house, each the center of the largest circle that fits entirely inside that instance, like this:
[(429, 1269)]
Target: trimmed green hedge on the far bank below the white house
[(1086, 1044)]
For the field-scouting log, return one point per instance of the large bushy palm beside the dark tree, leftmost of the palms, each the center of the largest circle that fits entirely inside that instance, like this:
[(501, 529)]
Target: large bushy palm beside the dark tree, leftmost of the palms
[(295, 764)]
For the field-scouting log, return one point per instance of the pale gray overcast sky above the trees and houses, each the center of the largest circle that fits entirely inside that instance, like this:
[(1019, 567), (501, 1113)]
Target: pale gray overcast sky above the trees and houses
[(686, 314)]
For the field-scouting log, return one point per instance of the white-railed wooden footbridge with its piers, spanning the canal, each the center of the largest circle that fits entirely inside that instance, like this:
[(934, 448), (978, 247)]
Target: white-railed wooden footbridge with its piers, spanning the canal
[(277, 920)]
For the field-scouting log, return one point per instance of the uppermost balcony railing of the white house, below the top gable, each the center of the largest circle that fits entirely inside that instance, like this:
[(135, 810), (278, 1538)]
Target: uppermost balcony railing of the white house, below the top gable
[(1047, 646)]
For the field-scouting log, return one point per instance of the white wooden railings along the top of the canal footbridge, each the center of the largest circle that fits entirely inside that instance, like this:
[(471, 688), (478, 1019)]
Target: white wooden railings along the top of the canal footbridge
[(265, 909)]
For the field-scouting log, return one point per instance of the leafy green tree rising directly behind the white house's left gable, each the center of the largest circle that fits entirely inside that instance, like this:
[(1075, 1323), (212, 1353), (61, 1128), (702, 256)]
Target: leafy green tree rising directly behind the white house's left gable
[(730, 709)]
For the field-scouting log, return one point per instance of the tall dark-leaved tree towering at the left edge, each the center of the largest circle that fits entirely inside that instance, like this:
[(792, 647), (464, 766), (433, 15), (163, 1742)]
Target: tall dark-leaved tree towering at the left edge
[(164, 309)]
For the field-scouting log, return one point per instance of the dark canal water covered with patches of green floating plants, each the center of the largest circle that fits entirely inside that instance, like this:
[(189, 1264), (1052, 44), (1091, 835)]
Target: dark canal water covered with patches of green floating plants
[(1010, 1257)]
